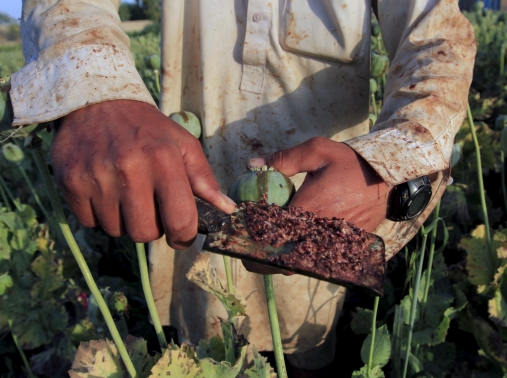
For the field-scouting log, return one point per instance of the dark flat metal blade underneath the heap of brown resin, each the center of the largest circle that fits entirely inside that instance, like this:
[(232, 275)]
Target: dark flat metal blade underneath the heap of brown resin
[(233, 240)]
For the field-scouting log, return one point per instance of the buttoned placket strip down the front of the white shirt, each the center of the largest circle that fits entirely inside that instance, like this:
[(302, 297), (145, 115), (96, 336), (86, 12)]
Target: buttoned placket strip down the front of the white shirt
[(254, 48)]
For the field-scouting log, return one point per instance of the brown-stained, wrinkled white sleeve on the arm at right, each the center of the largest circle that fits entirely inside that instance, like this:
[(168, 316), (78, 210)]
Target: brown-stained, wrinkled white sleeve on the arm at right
[(432, 48)]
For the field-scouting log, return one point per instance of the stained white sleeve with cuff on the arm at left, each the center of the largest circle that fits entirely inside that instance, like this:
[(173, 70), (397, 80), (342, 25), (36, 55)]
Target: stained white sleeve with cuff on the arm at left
[(76, 55)]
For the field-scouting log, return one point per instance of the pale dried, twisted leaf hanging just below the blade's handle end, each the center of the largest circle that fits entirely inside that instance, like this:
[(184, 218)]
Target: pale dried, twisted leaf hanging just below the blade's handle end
[(206, 277)]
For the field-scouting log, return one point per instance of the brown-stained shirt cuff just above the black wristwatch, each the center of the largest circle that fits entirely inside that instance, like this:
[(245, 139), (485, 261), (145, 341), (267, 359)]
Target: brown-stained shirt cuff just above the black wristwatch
[(399, 156)]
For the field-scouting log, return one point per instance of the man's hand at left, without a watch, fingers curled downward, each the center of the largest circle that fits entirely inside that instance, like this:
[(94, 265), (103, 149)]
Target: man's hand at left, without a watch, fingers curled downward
[(127, 167)]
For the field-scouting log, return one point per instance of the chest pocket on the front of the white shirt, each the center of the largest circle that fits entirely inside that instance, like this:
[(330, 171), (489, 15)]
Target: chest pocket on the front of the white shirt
[(336, 30)]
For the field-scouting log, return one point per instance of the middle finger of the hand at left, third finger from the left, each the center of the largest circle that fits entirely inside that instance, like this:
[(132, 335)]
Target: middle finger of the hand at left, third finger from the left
[(140, 214)]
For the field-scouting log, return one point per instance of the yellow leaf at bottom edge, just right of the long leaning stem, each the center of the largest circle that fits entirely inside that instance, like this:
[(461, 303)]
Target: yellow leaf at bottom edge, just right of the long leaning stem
[(174, 363)]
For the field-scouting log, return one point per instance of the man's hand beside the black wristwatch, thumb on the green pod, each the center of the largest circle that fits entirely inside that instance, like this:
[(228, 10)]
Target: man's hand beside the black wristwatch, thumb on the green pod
[(339, 183)]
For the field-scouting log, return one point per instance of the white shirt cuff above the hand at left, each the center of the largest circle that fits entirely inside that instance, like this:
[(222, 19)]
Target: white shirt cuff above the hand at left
[(45, 91)]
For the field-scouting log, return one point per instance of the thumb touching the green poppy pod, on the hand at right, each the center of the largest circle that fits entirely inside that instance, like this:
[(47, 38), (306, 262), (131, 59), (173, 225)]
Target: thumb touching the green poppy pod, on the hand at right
[(305, 157)]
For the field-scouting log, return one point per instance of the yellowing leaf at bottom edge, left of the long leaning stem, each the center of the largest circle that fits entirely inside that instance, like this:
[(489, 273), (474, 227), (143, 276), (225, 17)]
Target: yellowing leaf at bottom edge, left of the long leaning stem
[(97, 358)]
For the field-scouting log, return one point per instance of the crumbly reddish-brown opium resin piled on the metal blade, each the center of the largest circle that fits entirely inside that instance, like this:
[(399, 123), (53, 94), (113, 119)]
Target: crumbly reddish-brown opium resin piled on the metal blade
[(326, 246)]
